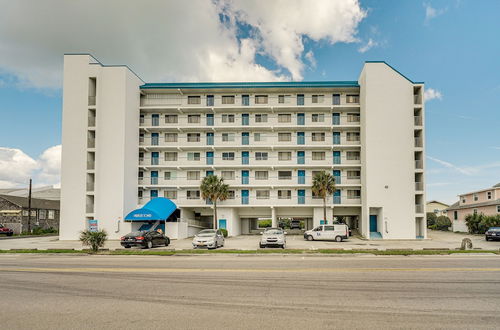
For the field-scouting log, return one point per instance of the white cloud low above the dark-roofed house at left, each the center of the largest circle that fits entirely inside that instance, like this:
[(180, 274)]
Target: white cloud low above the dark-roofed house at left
[(16, 167)]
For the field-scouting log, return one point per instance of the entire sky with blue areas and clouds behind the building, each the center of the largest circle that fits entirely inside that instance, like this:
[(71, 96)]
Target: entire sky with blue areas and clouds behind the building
[(453, 46)]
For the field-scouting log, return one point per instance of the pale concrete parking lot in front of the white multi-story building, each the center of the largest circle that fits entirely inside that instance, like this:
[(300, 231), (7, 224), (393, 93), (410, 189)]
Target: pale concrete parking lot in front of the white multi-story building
[(436, 240)]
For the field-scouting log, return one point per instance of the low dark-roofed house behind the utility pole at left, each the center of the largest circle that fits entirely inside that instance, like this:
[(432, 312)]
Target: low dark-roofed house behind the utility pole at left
[(14, 213)]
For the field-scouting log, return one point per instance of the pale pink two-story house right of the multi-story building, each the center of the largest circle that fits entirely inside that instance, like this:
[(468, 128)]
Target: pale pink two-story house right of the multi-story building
[(486, 201)]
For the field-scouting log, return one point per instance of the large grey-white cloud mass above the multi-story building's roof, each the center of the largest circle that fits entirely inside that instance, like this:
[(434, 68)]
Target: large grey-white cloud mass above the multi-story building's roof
[(170, 40)]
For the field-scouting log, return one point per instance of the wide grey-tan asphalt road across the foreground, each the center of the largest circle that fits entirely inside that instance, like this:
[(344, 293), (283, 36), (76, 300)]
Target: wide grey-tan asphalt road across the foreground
[(248, 292)]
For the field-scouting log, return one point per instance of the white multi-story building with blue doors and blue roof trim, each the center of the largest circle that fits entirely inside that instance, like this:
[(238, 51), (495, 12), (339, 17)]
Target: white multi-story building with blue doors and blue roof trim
[(126, 142)]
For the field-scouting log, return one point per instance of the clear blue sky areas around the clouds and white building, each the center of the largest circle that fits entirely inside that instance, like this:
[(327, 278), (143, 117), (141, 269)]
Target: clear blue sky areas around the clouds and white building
[(453, 46)]
